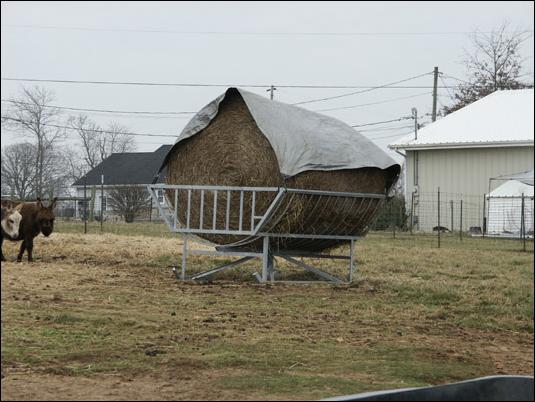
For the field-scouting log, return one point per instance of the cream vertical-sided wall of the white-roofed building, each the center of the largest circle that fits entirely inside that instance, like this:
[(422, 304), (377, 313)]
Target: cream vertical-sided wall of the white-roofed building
[(460, 174)]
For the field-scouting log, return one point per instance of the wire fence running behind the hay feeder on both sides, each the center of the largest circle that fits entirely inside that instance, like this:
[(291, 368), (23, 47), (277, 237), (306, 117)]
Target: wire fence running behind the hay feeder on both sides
[(437, 219)]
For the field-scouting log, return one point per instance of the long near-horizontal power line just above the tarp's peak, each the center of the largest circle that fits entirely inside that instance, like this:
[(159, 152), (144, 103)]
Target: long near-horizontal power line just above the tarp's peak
[(167, 84)]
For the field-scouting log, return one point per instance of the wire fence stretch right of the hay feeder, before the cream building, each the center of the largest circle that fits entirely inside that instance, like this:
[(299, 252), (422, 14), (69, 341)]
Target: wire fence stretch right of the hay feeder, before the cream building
[(449, 219)]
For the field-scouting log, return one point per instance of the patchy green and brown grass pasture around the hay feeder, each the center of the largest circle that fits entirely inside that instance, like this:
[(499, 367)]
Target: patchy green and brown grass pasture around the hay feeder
[(100, 316)]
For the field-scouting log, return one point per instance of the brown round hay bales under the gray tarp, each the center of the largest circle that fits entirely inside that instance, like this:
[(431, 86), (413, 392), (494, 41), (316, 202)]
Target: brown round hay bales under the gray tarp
[(232, 151)]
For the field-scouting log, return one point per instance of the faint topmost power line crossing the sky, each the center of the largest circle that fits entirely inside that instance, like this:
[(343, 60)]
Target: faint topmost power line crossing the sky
[(248, 32)]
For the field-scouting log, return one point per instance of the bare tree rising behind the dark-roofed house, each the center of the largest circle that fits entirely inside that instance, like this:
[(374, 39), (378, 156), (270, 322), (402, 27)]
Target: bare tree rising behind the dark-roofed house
[(96, 143)]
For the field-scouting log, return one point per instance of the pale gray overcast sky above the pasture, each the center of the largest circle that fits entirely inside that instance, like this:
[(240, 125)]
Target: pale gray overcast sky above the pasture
[(242, 43)]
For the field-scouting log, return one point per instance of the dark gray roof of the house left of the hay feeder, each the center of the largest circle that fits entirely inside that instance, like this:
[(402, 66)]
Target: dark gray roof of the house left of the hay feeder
[(127, 168)]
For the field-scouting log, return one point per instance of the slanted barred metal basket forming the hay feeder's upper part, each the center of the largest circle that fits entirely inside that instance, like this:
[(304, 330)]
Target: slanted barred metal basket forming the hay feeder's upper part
[(236, 211)]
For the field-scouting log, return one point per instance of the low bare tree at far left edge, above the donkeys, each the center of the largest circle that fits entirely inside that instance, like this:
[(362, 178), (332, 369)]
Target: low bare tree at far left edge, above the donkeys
[(18, 170)]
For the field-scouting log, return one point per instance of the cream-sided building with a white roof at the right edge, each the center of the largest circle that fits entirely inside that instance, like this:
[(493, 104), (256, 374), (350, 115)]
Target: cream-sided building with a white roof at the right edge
[(461, 152)]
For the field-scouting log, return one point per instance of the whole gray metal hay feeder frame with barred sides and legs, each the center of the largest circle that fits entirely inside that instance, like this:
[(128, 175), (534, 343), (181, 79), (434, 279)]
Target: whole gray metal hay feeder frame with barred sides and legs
[(261, 232)]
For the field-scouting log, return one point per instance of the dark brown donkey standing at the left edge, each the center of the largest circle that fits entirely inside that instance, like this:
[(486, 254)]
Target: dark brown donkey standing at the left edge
[(36, 218)]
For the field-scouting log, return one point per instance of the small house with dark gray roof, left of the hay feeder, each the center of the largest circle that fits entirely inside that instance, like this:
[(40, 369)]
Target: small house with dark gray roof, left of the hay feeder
[(120, 169)]
